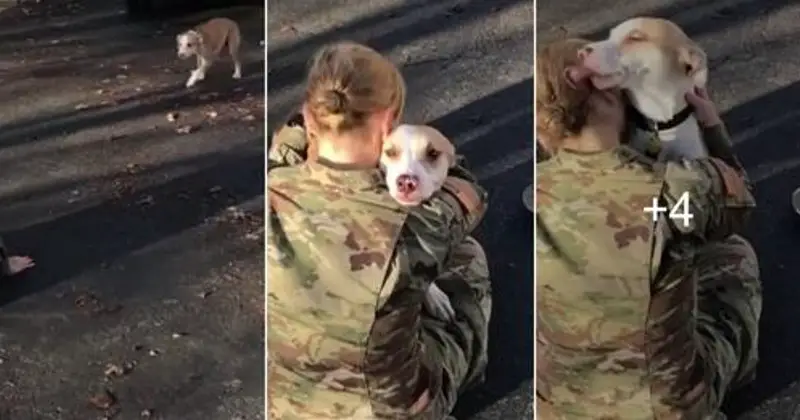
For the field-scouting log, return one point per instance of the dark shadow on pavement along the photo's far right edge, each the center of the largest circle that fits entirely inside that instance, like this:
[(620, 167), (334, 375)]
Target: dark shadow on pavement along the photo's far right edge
[(774, 229)]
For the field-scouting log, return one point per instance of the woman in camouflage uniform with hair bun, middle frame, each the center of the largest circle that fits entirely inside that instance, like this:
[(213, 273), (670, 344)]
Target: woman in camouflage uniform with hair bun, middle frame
[(348, 267)]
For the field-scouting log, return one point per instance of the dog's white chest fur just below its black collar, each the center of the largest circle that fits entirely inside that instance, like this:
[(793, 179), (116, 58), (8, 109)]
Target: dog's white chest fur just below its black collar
[(683, 141)]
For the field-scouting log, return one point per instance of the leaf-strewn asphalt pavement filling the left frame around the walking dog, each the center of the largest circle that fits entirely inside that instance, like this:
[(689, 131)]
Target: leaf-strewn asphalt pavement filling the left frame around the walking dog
[(142, 203)]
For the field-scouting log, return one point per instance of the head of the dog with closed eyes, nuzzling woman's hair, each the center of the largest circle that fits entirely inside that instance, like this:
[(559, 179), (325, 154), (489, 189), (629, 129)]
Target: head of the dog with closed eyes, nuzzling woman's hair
[(646, 51)]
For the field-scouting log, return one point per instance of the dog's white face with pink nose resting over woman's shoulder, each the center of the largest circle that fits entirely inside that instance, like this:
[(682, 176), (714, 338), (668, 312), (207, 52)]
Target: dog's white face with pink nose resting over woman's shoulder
[(416, 159)]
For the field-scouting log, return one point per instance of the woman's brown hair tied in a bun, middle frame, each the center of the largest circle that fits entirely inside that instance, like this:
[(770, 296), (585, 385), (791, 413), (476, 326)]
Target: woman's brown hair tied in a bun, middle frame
[(348, 82)]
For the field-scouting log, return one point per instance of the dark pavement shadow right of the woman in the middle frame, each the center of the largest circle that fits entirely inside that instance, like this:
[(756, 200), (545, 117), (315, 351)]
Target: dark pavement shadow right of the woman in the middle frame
[(506, 231)]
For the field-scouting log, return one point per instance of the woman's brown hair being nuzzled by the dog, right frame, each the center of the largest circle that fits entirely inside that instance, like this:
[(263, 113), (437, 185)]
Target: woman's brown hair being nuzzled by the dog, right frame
[(561, 107)]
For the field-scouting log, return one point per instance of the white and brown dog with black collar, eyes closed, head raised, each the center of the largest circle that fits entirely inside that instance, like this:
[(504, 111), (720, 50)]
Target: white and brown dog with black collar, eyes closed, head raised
[(656, 64)]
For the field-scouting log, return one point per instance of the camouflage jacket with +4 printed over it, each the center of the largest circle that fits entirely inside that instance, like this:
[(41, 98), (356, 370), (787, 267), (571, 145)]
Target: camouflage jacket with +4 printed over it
[(616, 332)]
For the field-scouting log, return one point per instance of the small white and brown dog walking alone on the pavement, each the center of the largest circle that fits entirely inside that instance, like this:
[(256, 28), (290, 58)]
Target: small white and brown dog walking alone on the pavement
[(206, 42)]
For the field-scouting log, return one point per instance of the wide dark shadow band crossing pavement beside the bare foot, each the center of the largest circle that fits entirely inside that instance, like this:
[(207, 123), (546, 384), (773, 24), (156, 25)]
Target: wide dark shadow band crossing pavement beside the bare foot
[(68, 245)]
